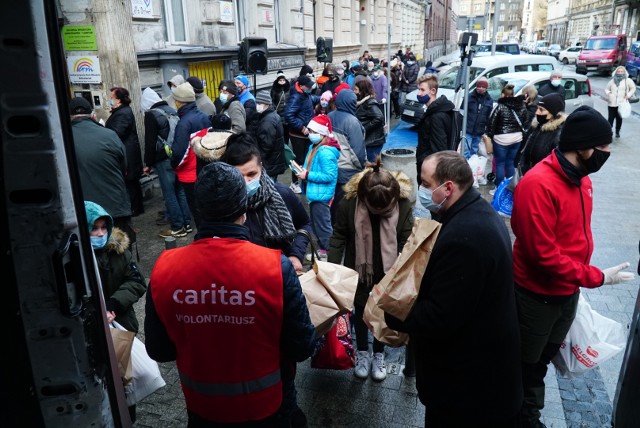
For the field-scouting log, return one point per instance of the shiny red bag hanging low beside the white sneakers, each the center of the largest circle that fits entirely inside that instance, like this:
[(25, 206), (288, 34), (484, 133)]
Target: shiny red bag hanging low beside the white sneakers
[(334, 350)]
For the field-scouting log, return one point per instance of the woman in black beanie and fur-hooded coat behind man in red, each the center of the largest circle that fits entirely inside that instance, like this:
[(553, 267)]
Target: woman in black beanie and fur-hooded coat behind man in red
[(545, 131)]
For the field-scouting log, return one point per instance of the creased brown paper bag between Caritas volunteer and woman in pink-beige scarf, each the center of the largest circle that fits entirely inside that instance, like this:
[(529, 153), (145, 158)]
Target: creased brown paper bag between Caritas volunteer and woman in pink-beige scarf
[(329, 289)]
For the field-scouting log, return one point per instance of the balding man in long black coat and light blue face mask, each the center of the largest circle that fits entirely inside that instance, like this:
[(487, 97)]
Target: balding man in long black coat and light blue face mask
[(464, 325)]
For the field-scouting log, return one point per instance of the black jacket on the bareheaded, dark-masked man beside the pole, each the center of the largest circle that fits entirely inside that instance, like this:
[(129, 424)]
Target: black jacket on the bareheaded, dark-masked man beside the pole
[(434, 129)]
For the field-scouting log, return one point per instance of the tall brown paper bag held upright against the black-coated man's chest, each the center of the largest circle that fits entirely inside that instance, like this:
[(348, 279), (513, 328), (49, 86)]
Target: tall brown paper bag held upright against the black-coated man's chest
[(398, 289)]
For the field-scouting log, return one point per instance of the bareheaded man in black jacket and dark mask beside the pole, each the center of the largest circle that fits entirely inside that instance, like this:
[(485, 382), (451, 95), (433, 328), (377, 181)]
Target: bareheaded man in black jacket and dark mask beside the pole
[(434, 128)]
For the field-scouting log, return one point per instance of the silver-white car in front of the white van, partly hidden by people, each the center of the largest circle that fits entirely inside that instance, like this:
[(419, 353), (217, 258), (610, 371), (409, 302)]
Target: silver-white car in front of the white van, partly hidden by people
[(577, 86)]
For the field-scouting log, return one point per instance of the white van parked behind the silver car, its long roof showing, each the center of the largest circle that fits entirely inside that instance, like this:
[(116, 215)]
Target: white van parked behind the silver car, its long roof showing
[(487, 66)]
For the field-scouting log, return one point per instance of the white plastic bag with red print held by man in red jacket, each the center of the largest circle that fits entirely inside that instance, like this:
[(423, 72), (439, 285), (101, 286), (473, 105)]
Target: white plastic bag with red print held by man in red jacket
[(592, 339)]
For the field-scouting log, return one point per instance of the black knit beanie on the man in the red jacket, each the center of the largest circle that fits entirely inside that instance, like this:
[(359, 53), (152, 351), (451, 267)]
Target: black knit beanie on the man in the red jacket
[(585, 128)]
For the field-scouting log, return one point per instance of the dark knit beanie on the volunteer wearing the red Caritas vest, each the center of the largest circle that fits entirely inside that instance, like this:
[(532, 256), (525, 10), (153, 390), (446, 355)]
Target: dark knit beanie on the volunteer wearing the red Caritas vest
[(220, 193)]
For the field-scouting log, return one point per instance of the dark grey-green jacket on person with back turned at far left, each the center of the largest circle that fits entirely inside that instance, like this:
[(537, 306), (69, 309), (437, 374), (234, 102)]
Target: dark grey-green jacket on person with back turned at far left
[(101, 165)]
